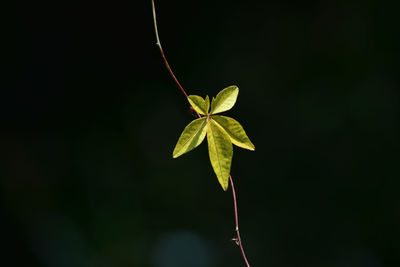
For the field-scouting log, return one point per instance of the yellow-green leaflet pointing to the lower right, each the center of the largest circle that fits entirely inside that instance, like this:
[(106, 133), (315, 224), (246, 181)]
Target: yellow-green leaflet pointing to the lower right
[(235, 131)]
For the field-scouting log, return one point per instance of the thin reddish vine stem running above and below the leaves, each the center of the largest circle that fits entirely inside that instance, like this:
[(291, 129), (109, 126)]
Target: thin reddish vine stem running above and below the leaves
[(237, 239)]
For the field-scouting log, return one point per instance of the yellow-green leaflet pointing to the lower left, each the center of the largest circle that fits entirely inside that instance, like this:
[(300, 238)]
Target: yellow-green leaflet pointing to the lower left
[(191, 137)]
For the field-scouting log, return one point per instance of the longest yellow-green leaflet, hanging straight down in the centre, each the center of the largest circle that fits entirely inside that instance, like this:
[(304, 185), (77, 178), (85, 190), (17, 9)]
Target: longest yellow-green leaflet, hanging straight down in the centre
[(220, 151)]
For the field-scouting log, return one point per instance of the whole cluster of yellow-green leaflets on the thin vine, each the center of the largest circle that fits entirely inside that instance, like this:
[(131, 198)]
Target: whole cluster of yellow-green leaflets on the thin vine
[(221, 132)]
